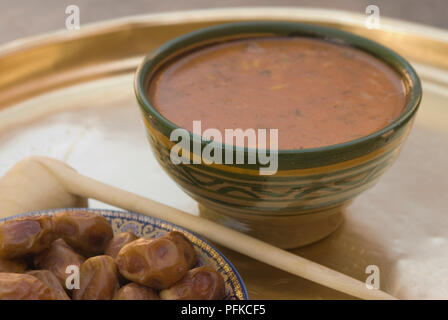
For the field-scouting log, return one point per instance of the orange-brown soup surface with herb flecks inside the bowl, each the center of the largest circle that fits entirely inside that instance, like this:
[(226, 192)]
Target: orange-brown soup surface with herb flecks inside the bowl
[(316, 93)]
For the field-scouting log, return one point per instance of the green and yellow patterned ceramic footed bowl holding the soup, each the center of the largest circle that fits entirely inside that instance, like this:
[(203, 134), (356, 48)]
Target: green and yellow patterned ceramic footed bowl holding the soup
[(304, 200)]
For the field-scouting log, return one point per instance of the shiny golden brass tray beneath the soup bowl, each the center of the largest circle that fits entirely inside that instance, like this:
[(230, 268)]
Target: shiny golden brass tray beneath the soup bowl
[(69, 95)]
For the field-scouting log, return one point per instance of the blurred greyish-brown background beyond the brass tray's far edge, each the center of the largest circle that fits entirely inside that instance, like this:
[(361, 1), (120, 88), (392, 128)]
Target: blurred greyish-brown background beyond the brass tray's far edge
[(22, 18)]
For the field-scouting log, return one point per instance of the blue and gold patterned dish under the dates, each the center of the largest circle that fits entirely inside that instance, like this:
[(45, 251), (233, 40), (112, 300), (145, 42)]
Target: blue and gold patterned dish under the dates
[(149, 227)]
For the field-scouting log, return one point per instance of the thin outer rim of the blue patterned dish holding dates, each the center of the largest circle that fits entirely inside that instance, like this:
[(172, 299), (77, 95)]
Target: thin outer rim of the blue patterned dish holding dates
[(140, 217)]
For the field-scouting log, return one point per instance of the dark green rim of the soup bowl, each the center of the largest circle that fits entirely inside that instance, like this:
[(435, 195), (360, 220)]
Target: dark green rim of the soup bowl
[(396, 62)]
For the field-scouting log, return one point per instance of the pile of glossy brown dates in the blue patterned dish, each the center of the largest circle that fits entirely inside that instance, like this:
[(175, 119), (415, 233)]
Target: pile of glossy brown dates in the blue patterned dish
[(75, 255)]
